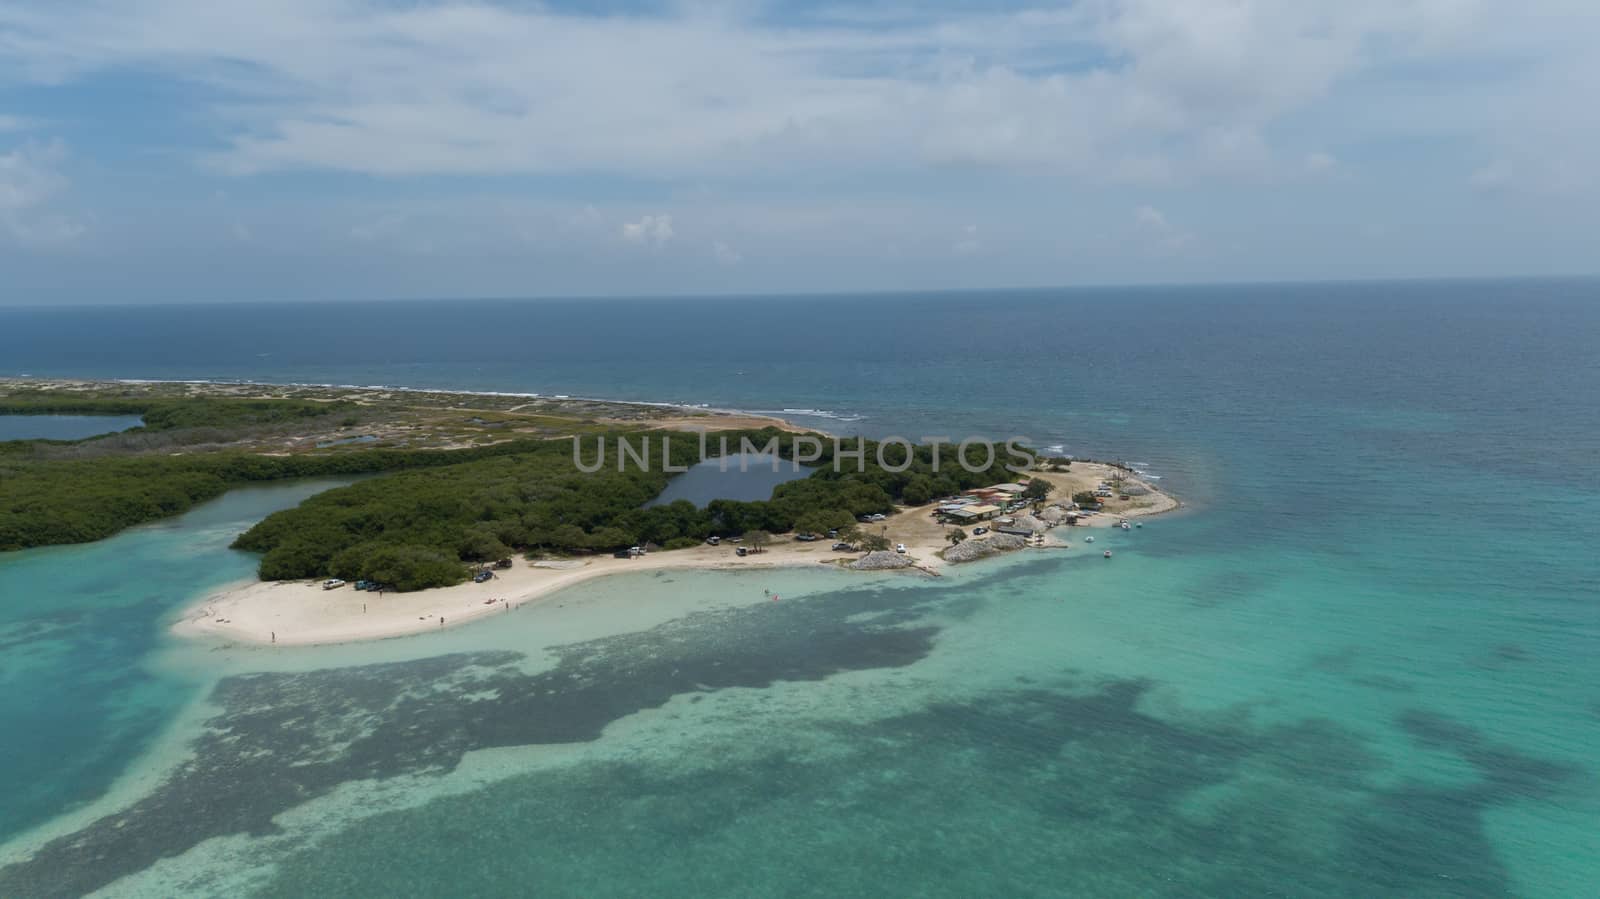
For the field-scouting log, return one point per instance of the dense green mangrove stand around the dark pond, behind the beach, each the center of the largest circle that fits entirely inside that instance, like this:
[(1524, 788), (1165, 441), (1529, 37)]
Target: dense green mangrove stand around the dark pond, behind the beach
[(426, 529)]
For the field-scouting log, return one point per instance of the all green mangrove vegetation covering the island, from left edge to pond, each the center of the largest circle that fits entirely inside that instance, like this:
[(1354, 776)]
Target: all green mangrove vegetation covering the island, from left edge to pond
[(439, 508)]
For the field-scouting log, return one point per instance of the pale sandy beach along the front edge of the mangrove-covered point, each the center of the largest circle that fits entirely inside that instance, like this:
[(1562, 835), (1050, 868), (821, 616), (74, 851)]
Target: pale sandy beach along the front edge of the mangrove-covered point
[(302, 613)]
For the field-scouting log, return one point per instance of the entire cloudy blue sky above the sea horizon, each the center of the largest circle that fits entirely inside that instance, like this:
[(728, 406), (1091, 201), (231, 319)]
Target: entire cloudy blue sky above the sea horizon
[(210, 151)]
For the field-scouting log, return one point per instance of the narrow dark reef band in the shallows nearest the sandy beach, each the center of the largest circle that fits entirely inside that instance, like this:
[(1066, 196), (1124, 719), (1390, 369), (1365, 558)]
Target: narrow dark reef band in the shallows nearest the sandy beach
[(289, 738)]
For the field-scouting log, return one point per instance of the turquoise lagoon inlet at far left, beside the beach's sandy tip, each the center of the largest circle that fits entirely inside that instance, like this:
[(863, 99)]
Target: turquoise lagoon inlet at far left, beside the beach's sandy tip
[(76, 631)]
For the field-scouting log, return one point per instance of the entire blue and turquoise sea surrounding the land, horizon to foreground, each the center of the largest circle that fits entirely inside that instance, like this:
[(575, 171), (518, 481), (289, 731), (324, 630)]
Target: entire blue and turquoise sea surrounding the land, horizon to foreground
[(1366, 661)]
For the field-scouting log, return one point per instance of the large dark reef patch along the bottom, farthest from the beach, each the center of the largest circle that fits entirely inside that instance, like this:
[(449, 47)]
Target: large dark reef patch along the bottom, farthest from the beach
[(1022, 793)]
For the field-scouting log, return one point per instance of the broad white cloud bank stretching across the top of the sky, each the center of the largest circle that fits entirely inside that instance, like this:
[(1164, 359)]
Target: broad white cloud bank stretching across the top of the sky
[(1148, 90)]
